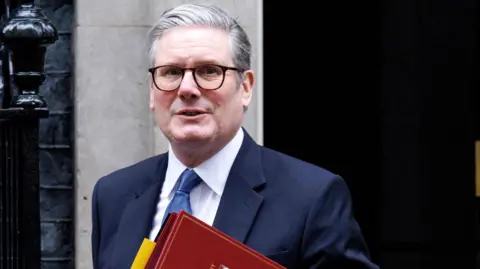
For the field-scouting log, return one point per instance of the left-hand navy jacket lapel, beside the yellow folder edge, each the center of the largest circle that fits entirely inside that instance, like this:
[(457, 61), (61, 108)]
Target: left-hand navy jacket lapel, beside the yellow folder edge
[(136, 220)]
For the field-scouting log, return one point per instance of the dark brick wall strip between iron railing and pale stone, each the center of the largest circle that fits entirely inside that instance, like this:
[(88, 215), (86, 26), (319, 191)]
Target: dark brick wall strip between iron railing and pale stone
[(56, 142)]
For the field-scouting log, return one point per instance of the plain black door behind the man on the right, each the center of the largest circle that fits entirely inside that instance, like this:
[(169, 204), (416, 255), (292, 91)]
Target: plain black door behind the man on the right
[(382, 94)]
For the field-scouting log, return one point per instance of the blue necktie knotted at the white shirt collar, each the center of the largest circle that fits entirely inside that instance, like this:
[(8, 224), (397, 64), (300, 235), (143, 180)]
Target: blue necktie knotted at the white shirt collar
[(181, 201)]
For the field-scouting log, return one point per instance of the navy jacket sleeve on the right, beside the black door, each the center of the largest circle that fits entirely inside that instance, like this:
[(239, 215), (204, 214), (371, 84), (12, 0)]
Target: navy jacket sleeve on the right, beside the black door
[(332, 236)]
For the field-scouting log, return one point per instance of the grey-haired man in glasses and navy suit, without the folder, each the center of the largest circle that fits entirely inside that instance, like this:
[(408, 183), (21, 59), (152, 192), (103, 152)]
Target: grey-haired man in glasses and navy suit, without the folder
[(200, 86)]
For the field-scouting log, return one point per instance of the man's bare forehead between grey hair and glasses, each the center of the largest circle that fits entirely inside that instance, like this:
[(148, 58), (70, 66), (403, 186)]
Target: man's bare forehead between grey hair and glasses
[(193, 45)]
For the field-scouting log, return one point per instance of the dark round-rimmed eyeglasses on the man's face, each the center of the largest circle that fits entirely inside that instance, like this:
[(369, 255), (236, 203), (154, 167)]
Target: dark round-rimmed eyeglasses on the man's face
[(206, 76)]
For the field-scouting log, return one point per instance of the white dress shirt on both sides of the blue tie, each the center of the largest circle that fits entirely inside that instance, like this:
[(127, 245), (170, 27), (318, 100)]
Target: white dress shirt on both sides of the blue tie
[(205, 197)]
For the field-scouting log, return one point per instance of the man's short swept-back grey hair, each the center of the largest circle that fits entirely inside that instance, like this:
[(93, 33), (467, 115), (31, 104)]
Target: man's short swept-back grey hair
[(203, 15)]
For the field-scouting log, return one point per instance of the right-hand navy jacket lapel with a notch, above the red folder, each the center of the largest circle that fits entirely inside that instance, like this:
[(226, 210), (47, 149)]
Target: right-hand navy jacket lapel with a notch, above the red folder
[(240, 200)]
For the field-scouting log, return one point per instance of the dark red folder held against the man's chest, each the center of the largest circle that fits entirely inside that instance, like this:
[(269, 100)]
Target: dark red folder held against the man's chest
[(186, 242)]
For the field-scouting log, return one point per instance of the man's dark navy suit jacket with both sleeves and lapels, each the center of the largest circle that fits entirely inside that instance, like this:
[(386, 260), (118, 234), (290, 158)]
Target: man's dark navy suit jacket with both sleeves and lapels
[(291, 211)]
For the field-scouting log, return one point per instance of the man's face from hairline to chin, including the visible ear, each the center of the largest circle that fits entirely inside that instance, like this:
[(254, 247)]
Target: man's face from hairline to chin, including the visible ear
[(212, 115)]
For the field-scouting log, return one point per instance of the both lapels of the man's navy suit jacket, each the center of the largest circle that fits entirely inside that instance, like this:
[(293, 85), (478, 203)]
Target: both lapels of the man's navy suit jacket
[(236, 213)]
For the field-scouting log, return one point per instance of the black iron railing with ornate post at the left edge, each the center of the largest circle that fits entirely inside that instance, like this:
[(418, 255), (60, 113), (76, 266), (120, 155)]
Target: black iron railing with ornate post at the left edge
[(25, 32)]
